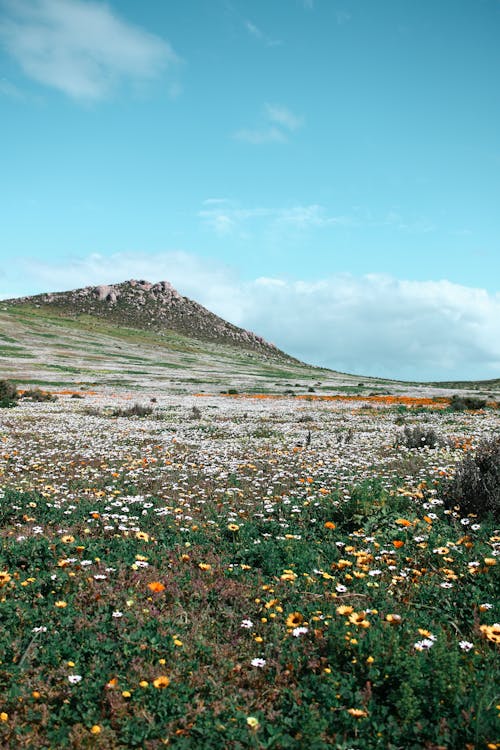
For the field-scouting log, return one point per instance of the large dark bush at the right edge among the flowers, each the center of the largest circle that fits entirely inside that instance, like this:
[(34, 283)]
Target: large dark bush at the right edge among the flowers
[(475, 487)]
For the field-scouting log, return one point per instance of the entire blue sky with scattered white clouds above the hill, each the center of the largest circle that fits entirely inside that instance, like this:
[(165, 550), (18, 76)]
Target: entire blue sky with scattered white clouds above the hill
[(323, 172)]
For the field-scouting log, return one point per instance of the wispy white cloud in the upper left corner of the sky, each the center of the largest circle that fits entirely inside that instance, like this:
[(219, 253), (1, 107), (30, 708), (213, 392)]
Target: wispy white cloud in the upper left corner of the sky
[(82, 49)]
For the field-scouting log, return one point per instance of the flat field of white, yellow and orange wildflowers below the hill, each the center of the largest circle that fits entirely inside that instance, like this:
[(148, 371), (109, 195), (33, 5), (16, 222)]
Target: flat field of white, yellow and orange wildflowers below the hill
[(232, 572)]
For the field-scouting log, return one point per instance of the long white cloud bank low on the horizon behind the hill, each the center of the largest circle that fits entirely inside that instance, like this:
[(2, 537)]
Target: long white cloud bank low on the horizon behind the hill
[(372, 324)]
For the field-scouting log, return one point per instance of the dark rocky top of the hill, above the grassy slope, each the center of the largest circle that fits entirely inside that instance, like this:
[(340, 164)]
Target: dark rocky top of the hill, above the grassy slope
[(141, 304)]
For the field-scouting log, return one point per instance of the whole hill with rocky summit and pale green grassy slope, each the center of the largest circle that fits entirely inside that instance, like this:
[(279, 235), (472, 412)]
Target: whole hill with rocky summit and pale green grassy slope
[(138, 335)]
